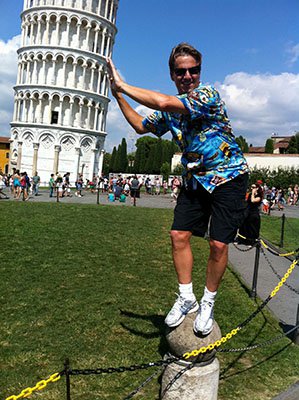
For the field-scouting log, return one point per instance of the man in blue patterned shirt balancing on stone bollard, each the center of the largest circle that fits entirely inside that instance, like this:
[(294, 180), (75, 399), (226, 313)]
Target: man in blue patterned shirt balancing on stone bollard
[(215, 177)]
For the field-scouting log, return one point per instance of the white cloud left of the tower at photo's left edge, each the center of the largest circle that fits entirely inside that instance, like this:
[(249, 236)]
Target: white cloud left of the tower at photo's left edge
[(8, 75)]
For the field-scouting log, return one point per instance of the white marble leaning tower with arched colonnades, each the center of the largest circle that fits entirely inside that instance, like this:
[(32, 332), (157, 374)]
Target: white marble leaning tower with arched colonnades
[(61, 94)]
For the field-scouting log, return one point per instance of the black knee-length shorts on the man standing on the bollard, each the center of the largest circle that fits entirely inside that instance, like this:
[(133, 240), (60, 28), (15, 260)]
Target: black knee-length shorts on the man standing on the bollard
[(222, 211)]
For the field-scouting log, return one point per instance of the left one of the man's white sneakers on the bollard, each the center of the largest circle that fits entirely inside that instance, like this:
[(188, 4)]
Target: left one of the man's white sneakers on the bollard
[(180, 309)]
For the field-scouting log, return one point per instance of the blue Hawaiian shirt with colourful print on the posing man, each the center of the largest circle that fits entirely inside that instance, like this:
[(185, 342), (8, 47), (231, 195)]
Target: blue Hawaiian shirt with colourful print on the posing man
[(211, 155)]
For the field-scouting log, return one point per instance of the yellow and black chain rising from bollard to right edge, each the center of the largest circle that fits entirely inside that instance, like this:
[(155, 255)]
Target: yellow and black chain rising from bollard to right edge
[(233, 332)]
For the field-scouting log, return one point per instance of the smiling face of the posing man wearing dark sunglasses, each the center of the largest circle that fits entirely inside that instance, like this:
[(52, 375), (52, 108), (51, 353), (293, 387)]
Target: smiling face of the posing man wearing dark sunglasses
[(185, 80)]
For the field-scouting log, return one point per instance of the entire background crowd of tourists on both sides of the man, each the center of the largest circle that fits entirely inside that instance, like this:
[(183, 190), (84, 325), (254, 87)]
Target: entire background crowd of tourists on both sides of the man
[(21, 185)]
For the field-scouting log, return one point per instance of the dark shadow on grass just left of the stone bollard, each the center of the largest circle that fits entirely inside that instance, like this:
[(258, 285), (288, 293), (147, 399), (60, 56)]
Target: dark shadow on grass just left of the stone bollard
[(157, 322)]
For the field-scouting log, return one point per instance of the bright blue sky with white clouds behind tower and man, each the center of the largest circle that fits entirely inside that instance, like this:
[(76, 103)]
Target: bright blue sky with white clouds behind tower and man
[(250, 53)]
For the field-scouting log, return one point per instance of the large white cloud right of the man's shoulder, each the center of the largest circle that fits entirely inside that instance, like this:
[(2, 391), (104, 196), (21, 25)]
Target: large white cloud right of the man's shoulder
[(259, 105)]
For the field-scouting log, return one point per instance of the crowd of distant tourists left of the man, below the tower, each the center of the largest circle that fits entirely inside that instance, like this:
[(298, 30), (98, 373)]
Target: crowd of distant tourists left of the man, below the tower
[(21, 186)]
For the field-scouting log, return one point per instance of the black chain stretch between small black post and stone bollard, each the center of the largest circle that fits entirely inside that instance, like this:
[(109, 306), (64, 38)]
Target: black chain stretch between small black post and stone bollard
[(112, 370)]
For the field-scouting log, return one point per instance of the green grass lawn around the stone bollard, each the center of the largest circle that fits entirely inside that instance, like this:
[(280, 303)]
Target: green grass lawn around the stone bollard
[(93, 283)]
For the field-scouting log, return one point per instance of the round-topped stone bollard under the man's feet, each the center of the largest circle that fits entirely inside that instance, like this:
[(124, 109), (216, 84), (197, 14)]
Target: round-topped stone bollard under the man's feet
[(198, 377)]
